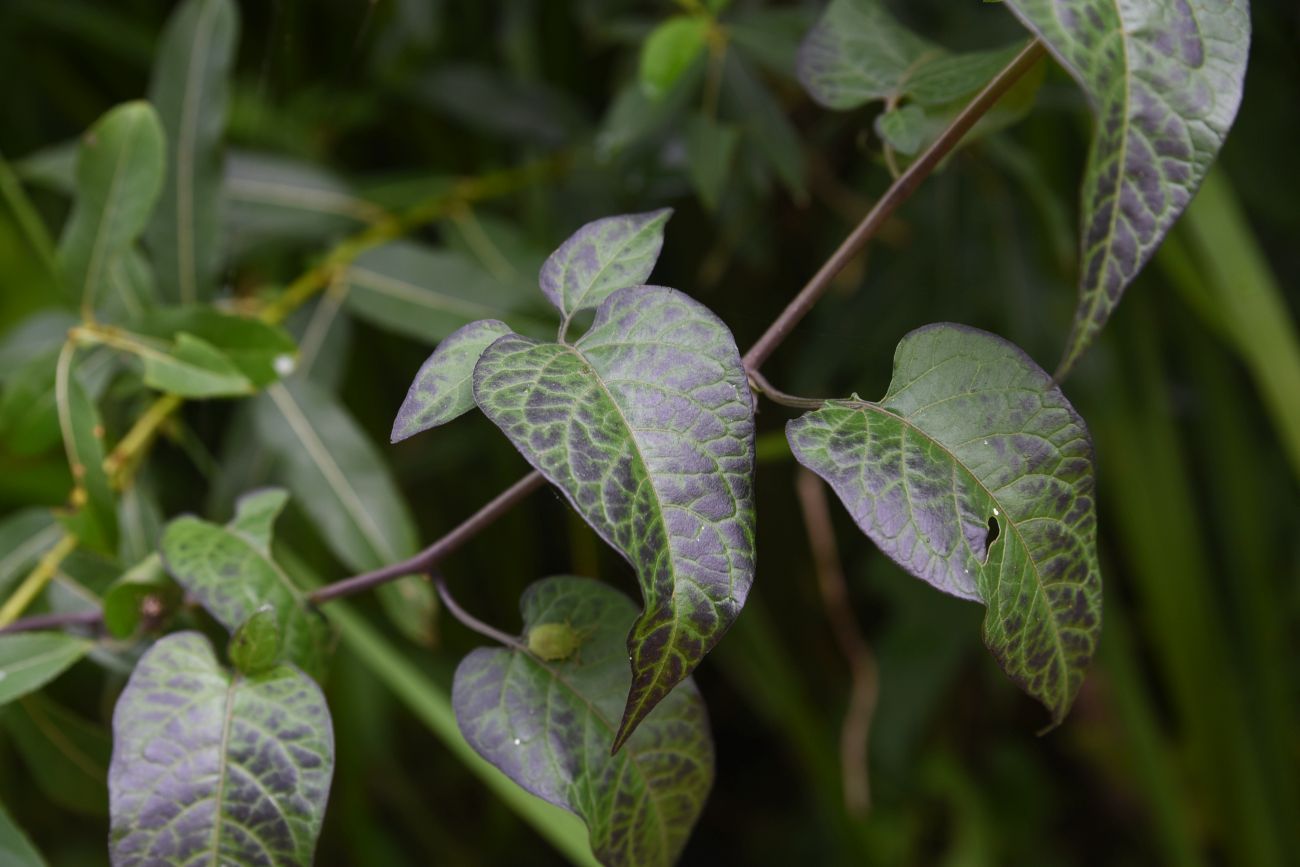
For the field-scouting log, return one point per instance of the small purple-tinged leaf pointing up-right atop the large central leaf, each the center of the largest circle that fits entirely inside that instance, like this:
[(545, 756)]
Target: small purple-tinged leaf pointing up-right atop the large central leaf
[(601, 258)]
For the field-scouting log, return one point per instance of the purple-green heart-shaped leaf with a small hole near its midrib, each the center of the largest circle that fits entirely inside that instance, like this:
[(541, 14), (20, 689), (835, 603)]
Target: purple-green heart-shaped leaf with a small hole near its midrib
[(976, 475)]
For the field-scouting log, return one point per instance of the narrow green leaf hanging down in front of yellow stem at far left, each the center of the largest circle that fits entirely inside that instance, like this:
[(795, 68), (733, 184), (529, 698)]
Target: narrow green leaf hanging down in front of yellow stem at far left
[(96, 522)]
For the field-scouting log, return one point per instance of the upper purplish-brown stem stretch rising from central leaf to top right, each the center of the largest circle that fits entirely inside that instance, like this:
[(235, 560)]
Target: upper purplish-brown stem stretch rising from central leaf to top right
[(899, 193)]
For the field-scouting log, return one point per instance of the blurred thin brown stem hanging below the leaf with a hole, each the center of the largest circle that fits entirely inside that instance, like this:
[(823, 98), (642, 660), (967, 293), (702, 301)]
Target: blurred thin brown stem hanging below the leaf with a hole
[(863, 664)]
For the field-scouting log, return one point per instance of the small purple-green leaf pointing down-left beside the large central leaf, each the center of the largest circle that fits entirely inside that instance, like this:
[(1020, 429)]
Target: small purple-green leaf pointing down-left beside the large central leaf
[(444, 388)]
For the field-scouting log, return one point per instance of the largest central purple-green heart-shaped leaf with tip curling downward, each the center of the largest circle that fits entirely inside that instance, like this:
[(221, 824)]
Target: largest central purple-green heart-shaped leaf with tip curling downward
[(647, 426)]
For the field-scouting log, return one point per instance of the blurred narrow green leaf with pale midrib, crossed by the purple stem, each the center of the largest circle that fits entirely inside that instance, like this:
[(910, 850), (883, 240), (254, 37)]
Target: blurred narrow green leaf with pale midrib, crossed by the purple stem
[(343, 483)]
